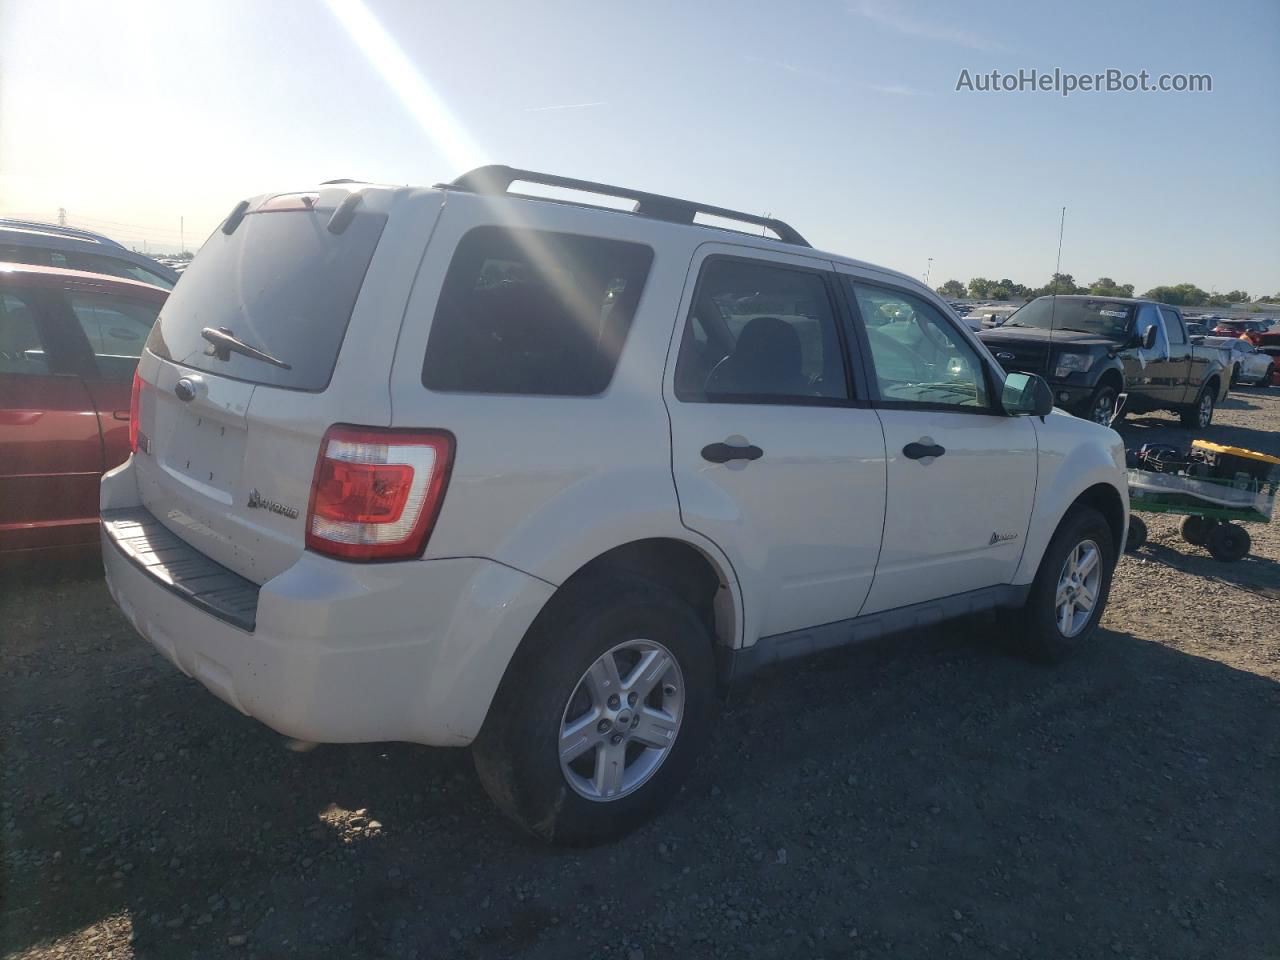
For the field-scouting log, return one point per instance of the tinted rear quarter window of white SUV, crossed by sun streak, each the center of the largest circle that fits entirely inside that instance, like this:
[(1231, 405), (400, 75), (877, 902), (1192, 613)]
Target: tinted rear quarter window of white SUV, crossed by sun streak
[(534, 313)]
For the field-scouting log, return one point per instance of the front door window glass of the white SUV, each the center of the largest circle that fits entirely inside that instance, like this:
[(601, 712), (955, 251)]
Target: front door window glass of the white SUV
[(918, 356)]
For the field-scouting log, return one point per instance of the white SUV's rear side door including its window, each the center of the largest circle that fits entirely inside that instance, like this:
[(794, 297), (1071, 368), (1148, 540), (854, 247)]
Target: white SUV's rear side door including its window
[(776, 454)]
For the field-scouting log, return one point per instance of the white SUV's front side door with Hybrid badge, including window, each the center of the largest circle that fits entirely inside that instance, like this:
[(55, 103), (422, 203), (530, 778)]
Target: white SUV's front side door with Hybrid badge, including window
[(962, 474)]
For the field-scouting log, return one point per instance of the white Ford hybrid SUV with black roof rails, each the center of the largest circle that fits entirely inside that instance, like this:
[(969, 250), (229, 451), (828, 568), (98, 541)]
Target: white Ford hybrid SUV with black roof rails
[(459, 467)]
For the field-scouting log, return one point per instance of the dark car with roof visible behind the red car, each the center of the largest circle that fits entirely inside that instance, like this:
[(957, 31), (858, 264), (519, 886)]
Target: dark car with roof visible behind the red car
[(51, 245)]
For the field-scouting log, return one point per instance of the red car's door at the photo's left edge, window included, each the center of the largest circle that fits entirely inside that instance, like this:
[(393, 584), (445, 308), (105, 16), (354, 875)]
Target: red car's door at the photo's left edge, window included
[(51, 449)]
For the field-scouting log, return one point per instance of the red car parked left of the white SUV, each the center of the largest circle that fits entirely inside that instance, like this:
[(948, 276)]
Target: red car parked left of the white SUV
[(70, 342)]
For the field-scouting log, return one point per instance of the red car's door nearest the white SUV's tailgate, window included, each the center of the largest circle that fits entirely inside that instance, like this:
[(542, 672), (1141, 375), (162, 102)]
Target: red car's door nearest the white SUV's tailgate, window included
[(113, 328)]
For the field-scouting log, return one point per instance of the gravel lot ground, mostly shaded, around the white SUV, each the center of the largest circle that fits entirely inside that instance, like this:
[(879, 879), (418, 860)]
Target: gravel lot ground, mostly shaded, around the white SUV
[(924, 797)]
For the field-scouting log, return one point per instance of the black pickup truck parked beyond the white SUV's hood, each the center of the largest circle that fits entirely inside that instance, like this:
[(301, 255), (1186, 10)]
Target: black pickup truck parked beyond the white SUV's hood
[(1091, 350)]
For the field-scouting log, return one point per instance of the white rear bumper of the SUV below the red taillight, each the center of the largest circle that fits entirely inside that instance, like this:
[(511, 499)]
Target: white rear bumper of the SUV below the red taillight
[(345, 652)]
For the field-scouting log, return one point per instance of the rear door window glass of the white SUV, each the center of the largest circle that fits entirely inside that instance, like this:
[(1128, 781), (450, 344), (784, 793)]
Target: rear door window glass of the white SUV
[(761, 333)]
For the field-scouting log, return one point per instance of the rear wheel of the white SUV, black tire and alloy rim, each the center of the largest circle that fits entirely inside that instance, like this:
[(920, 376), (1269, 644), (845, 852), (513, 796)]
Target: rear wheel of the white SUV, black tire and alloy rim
[(602, 714)]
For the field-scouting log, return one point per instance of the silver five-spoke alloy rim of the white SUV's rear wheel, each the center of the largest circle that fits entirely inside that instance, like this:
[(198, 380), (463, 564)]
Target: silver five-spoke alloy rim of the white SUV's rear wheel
[(621, 721)]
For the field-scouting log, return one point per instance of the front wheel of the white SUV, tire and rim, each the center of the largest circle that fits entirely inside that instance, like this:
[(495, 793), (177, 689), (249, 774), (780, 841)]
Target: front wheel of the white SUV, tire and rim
[(1071, 589)]
